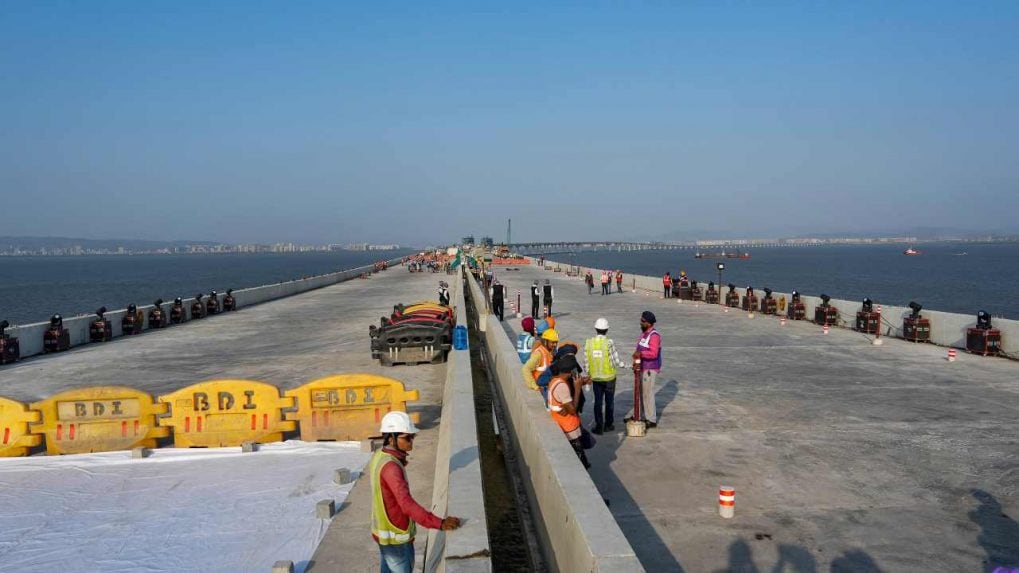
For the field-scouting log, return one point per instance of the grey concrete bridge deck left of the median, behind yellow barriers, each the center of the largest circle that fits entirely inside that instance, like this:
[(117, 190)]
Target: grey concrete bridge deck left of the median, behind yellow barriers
[(286, 343)]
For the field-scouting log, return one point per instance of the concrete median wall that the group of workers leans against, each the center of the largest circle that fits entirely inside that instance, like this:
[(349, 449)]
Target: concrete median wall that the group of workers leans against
[(578, 533)]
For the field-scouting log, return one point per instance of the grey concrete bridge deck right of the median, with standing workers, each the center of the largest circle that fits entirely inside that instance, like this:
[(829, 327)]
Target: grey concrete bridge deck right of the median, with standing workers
[(844, 455)]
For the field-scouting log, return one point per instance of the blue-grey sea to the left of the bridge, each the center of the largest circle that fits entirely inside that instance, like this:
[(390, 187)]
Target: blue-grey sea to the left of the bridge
[(32, 289)]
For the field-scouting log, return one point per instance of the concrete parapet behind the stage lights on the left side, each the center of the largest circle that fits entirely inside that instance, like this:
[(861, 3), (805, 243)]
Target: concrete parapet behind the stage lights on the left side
[(31, 336)]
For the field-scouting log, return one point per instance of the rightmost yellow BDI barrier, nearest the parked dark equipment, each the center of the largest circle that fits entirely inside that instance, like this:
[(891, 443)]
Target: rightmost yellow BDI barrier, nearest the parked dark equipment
[(348, 406)]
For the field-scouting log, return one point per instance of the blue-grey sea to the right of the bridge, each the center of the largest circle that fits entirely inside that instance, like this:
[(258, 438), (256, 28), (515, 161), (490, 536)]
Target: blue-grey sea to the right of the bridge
[(952, 278)]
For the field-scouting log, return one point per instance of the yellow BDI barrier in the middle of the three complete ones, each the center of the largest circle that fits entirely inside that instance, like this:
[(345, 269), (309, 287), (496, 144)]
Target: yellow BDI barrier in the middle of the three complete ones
[(227, 413)]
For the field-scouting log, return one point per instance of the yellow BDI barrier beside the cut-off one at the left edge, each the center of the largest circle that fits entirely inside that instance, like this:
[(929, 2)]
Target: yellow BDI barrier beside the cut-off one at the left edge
[(99, 420)]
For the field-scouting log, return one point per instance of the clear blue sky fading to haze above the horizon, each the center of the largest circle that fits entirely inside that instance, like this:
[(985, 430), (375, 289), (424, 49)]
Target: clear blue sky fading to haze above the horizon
[(419, 122)]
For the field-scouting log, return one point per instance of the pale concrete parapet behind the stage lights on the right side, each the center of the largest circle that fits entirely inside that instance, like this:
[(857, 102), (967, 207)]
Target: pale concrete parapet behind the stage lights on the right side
[(947, 329)]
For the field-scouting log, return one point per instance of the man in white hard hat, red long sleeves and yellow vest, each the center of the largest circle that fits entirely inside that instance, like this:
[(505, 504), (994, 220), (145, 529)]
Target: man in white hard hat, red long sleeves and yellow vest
[(395, 513)]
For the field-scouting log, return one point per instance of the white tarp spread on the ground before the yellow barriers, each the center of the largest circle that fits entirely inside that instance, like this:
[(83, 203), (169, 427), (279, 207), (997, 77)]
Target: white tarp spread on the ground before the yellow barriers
[(179, 510)]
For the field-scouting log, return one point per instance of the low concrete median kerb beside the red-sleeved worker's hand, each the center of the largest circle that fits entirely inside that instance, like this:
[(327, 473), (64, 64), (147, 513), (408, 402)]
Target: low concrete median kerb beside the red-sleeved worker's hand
[(458, 486)]
